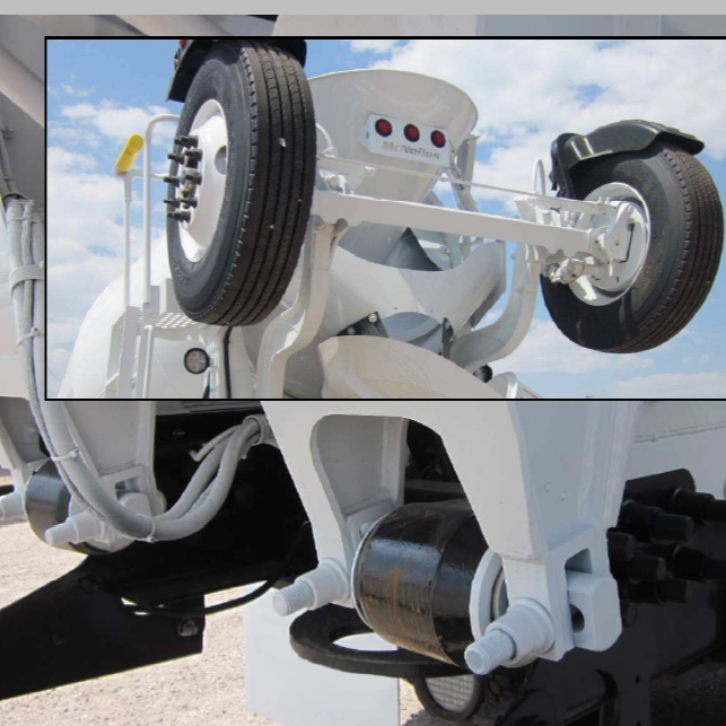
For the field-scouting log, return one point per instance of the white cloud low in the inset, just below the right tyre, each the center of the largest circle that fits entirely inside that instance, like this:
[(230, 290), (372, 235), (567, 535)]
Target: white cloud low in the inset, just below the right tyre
[(546, 350)]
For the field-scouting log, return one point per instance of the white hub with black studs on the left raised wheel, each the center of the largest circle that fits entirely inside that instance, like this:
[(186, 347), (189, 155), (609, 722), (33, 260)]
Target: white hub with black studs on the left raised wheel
[(202, 181)]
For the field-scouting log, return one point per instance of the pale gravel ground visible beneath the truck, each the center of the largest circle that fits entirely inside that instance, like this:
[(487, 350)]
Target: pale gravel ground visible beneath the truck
[(210, 688)]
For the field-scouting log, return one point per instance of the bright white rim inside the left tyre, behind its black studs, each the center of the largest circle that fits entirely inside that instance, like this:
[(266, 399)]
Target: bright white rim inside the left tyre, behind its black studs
[(210, 127)]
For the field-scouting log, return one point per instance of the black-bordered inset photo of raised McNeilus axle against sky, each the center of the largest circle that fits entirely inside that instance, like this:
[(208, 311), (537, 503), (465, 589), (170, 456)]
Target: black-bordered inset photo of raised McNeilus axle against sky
[(279, 217)]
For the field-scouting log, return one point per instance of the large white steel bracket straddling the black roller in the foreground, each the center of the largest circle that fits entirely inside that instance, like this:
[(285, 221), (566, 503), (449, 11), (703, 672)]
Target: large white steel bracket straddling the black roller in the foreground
[(545, 483)]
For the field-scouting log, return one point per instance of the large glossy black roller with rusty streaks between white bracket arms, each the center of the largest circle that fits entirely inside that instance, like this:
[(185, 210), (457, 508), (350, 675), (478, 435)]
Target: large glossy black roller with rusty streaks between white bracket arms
[(413, 574)]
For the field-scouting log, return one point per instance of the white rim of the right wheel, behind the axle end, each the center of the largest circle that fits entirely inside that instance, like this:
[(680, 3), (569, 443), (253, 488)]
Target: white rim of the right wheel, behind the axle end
[(612, 282)]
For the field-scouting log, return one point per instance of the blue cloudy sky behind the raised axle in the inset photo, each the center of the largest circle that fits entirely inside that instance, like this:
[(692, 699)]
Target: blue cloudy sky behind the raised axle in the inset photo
[(527, 93)]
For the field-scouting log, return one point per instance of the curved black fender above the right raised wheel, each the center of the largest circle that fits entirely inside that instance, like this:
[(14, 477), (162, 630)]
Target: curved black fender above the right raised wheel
[(623, 136)]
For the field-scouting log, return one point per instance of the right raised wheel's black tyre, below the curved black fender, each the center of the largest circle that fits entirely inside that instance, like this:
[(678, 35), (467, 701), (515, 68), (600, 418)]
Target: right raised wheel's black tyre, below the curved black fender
[(642, 303)]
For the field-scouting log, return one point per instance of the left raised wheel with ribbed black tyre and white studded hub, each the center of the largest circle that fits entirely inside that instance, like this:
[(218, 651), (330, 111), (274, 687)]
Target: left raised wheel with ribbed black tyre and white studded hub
[(245, 171)]
